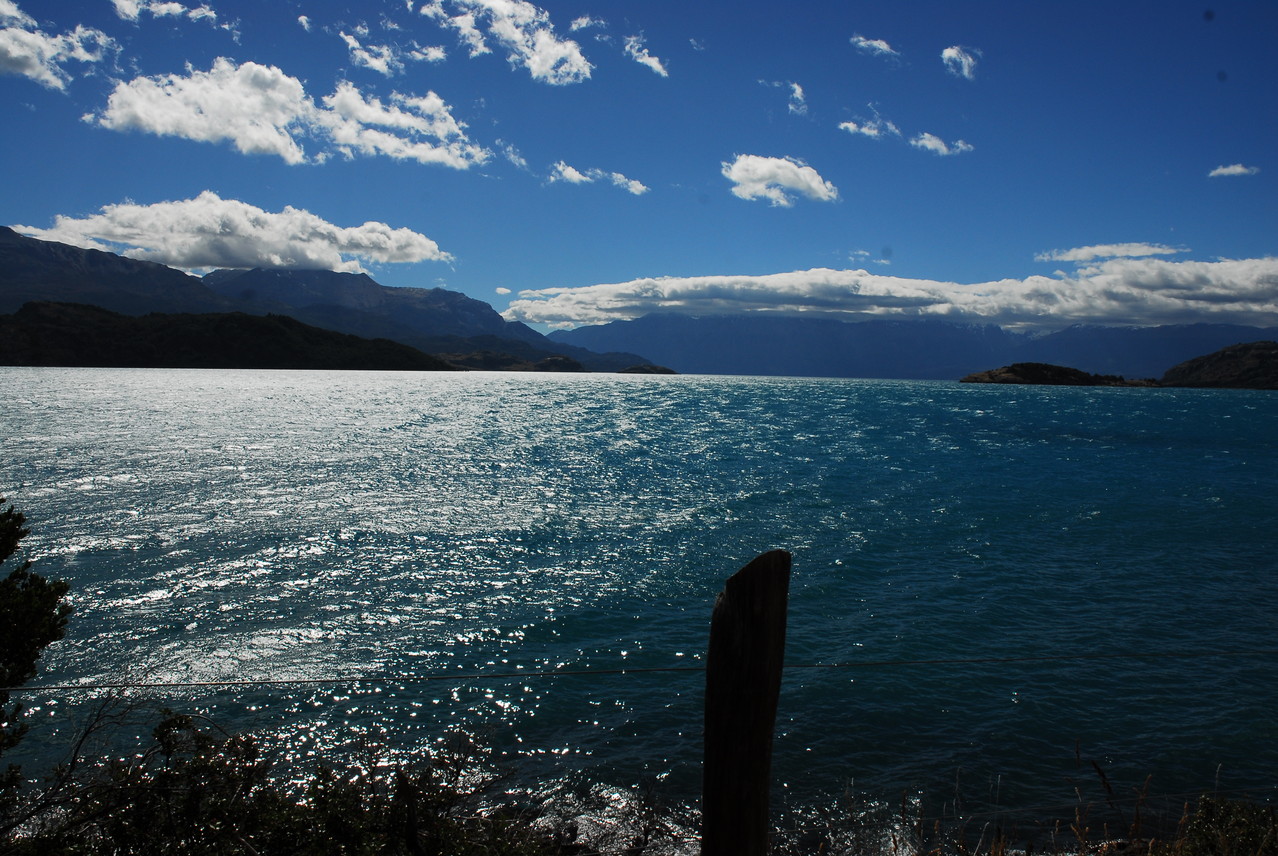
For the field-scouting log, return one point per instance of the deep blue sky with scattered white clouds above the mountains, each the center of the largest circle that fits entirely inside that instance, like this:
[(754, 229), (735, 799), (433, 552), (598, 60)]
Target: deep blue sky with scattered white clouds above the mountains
[(1027, 164)]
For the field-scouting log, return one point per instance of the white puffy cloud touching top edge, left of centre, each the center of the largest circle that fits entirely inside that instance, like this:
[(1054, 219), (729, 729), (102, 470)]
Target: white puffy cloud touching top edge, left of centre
[(520, 27)]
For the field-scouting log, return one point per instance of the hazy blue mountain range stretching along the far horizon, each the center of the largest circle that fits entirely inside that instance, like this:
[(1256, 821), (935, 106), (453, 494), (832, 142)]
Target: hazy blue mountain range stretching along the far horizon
[(471, 333)]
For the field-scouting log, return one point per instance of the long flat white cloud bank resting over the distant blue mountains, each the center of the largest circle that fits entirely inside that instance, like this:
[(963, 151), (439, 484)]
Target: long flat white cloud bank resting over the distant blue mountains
[(1116, 292)]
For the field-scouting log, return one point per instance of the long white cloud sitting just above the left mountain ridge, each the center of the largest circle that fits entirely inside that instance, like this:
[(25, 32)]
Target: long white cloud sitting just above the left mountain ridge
[(210, 232)]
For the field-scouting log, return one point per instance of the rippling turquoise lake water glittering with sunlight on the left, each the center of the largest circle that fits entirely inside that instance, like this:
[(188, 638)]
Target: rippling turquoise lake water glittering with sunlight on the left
[(399, 527)]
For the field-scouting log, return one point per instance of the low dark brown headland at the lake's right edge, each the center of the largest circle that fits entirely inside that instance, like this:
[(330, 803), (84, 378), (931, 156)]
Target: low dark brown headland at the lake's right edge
[(1251, 366)]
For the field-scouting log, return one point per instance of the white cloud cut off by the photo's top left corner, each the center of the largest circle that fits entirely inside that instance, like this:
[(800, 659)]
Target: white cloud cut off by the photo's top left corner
[(29, 52)]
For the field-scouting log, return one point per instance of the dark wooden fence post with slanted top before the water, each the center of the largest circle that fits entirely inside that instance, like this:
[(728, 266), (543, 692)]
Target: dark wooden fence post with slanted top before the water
[(743, 682)]
